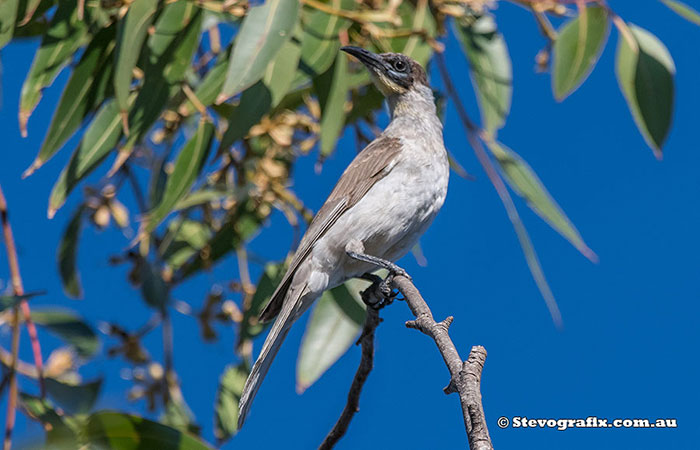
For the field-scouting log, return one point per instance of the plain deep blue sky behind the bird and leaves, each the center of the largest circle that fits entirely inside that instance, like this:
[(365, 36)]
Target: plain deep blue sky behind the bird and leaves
[(629, 344)]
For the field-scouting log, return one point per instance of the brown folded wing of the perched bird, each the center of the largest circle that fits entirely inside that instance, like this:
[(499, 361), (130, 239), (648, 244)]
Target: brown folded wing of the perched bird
[(369, 166)]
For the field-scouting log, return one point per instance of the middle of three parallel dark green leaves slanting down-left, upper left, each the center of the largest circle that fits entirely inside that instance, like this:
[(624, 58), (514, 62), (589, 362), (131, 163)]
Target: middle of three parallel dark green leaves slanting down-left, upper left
[(84, 92)]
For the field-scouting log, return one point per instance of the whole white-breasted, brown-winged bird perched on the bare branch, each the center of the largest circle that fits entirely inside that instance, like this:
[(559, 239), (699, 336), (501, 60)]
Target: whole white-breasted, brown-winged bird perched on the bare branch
[(384, 201)]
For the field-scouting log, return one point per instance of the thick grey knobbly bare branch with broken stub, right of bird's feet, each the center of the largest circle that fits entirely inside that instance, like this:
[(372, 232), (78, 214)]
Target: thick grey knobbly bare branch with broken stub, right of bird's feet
[(465, 376)]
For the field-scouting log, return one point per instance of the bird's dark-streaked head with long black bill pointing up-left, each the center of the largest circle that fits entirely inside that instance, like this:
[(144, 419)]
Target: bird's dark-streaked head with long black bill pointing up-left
[(394, 74)]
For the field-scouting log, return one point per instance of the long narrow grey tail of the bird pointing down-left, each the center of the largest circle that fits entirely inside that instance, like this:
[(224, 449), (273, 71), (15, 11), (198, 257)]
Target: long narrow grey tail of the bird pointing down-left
[(289, 313)]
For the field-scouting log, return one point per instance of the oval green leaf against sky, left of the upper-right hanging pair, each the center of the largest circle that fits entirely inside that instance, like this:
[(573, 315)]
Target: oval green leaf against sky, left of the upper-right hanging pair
[(577, 49)]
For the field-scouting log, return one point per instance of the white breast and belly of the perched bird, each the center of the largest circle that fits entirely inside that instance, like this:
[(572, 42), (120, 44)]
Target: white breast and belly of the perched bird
[(395, 212)]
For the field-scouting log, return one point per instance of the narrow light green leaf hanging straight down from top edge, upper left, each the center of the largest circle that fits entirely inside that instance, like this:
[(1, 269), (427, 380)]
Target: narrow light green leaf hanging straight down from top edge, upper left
[(133, 29)]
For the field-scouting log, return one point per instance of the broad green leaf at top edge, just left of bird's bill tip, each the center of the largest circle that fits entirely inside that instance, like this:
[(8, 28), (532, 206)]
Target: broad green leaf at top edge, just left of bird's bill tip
[(319, 41)]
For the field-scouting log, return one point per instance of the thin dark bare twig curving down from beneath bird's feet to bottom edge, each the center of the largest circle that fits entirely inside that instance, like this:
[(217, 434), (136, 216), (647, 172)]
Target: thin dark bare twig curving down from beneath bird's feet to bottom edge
[(366, 363)]
